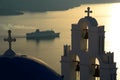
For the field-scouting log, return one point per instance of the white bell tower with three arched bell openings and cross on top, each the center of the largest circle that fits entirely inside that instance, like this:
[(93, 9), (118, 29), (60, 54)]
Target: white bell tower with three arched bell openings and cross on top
[(87, 42)]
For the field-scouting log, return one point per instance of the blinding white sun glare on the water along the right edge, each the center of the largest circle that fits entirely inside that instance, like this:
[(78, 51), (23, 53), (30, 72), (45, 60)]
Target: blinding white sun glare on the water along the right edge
[(114, 32)]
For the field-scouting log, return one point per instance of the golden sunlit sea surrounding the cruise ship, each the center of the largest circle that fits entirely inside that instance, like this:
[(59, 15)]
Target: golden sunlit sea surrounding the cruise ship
[(50, 51)]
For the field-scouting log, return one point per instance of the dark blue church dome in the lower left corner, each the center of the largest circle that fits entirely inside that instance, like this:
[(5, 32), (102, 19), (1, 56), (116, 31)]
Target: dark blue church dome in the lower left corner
[(25, 68)]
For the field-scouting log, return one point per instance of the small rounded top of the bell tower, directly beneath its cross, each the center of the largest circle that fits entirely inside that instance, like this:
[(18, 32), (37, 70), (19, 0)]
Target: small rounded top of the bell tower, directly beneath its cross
[(90, 21)]
